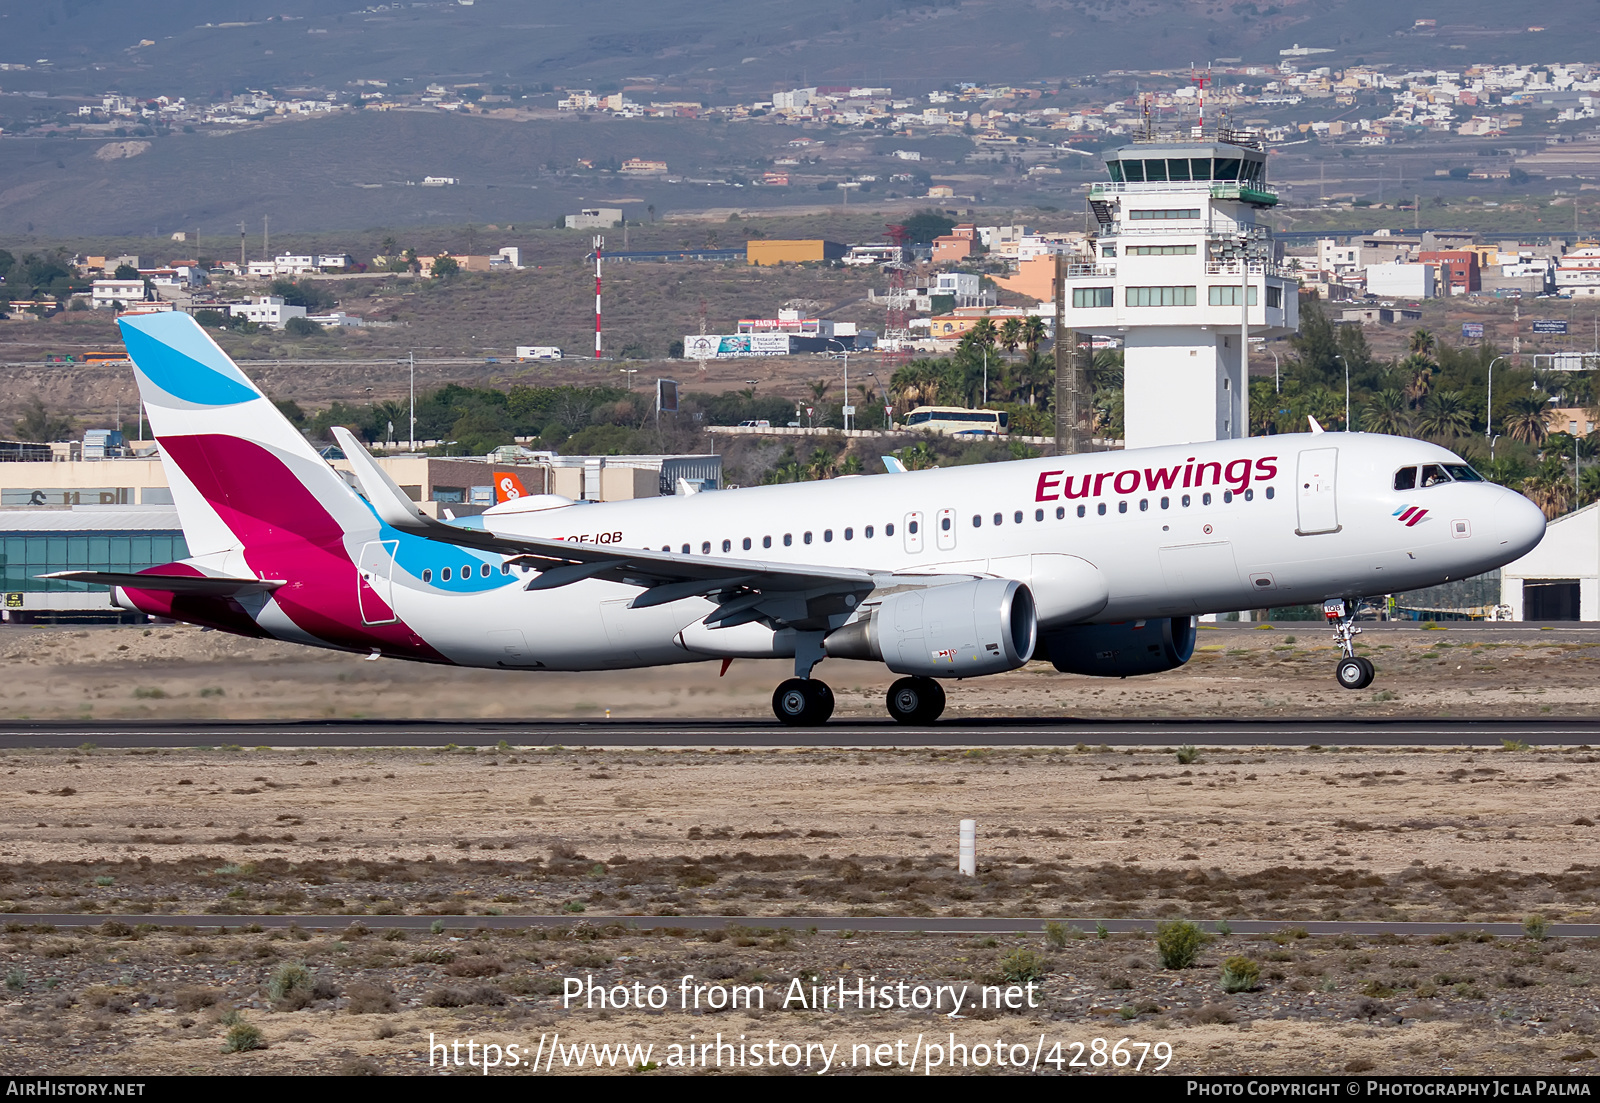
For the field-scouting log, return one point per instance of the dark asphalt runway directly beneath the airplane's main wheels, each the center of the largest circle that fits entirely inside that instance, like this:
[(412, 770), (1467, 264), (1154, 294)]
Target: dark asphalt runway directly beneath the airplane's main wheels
[(769, 734)]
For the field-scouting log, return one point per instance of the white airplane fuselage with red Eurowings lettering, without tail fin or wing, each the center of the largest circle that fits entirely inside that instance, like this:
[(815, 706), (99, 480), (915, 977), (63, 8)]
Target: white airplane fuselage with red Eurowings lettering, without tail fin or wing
[(1167, 532)]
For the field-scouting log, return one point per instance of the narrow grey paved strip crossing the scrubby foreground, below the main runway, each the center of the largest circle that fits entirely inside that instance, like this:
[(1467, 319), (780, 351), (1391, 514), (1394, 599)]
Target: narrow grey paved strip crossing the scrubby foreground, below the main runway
[(865, 925)]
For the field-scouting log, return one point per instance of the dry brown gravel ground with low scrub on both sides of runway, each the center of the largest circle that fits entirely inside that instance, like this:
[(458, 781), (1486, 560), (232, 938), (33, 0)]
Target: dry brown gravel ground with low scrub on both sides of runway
[(1281, 835)]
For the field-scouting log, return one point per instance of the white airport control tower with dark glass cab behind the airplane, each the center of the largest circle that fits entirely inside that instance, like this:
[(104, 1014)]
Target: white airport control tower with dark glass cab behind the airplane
[(1183, 275)]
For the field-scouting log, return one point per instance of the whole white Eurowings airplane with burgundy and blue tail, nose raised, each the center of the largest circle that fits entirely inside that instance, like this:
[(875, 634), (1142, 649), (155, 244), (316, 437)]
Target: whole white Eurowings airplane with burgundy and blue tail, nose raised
[(1095, 563)]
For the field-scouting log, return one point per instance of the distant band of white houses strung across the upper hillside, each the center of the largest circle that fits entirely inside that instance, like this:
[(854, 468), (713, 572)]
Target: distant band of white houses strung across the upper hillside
[(1377, 105)]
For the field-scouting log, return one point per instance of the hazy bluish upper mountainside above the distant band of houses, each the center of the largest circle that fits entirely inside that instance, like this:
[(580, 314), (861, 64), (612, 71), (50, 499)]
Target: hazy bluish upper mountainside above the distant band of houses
[(722, 47)]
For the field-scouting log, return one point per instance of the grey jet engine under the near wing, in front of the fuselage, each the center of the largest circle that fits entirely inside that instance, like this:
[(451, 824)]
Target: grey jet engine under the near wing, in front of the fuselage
[(961, 630)]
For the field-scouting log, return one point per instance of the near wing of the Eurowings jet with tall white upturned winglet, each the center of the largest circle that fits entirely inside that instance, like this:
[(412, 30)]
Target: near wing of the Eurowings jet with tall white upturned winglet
[(798, 596)]
